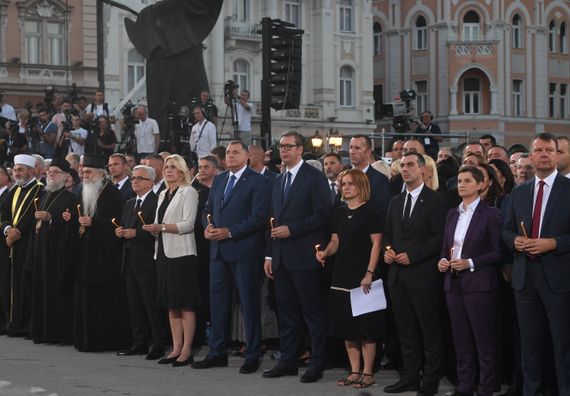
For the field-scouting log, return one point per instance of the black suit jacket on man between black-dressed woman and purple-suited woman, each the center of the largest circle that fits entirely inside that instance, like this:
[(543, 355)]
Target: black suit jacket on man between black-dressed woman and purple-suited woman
[(422, 240)]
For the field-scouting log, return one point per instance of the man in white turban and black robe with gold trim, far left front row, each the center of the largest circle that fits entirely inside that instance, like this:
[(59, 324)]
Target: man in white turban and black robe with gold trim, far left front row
[(17, 215)]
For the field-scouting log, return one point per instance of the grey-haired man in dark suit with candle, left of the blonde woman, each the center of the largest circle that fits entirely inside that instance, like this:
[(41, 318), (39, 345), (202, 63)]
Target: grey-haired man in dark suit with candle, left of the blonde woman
[(139, 268)]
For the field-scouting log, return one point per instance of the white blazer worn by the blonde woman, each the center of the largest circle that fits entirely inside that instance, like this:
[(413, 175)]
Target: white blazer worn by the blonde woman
[(182, 212)]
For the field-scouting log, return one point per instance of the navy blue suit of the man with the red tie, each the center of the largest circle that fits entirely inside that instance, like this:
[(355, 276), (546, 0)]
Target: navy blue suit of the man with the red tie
[(542, 283)]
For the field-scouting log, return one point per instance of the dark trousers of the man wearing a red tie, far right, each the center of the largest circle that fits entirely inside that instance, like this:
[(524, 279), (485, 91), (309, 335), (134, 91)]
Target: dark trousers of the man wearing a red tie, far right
[(537, 308)]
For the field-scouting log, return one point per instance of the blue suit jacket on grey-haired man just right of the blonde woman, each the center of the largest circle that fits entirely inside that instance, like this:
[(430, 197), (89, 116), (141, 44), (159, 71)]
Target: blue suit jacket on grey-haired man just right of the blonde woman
[(244, 212)]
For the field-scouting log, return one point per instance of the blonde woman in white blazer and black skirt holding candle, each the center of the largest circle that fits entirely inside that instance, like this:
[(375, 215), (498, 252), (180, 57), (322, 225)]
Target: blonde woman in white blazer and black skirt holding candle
[(175, 252)]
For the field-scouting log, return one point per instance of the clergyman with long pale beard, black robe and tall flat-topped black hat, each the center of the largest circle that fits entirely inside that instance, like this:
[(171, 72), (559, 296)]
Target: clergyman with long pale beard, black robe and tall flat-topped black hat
[(100, 318)]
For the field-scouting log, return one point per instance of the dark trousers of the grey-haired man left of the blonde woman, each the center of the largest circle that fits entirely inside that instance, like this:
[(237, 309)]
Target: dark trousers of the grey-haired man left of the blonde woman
[(144, 315)]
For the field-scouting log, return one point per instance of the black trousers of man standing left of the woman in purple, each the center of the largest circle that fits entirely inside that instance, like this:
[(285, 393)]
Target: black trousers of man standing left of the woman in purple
[(417, 316)]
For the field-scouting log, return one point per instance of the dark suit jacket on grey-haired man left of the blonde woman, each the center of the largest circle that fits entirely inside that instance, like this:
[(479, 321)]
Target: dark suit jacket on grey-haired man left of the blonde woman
[(140, 249)]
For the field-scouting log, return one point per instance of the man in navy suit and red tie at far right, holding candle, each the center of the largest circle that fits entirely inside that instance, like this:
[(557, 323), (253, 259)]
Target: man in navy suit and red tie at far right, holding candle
[(537, 229)]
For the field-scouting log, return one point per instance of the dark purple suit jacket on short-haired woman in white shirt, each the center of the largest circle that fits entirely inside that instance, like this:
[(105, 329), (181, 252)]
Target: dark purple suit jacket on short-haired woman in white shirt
[(482, 244)]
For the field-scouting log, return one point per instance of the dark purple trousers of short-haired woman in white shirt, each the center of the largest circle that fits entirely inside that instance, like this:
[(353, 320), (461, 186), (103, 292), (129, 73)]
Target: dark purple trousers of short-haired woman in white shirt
[(473, 323)]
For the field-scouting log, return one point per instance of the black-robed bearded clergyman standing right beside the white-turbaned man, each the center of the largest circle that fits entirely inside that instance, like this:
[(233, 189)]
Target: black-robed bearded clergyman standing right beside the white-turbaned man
[(52, 260)]
